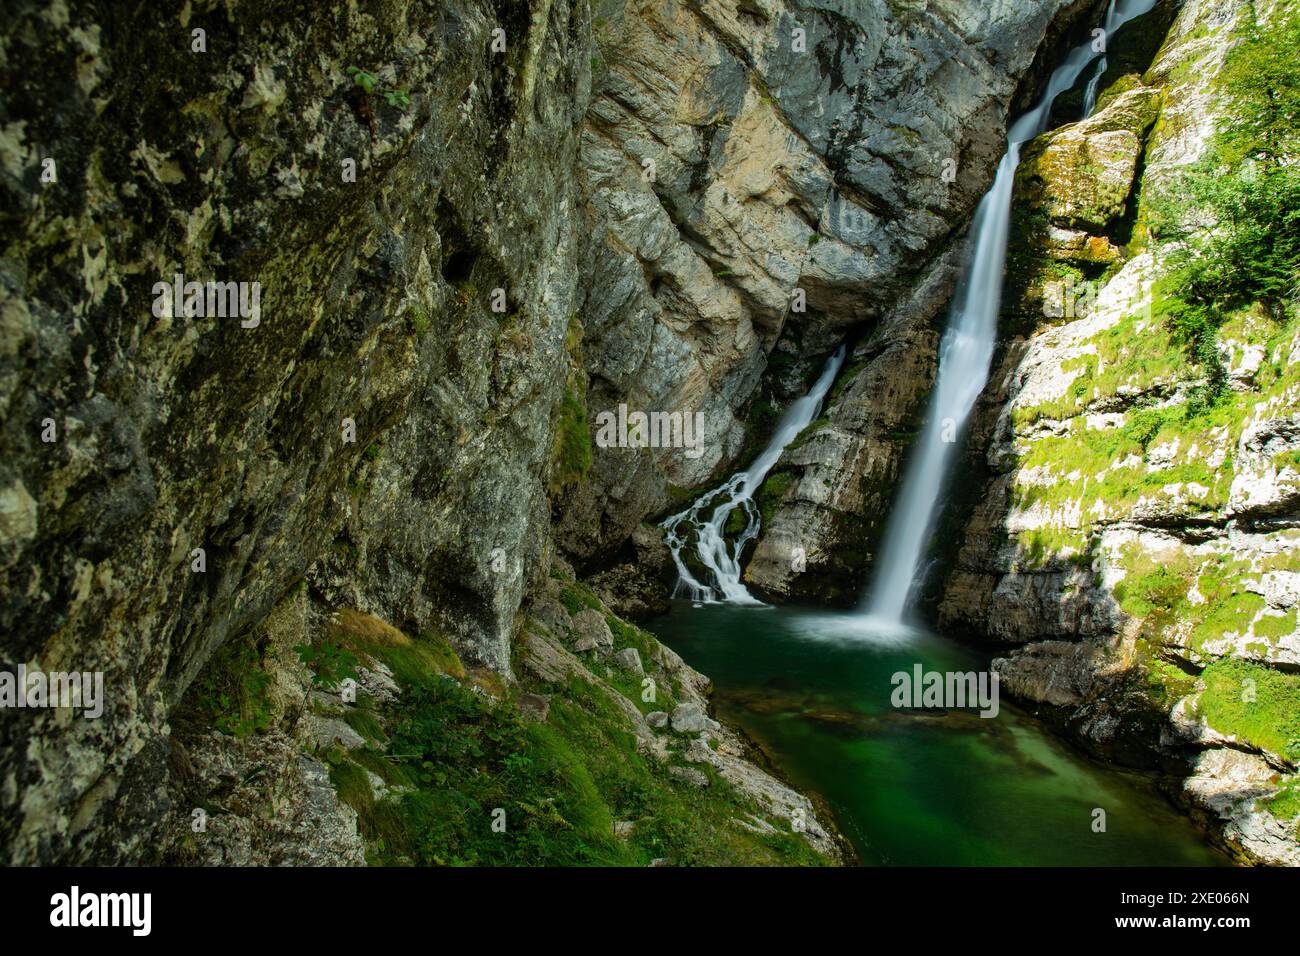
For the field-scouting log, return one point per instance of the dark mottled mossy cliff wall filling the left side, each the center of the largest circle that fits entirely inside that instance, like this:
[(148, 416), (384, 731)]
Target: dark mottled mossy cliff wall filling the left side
[(174, 434)]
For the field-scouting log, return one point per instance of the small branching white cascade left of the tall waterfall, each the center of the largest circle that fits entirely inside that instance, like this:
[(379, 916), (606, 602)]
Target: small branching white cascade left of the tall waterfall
[(723, 561)]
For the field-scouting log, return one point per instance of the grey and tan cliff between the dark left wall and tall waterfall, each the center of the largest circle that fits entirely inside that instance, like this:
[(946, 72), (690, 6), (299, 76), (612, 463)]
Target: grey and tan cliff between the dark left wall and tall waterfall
[(761, 180)]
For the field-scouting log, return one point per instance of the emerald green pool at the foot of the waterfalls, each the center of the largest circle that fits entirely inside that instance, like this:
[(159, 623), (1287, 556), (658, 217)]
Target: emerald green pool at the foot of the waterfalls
[(920, 786)]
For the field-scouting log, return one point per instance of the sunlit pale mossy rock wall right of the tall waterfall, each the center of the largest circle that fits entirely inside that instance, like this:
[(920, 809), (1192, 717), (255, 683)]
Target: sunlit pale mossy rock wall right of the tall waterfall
[(1143, 555)]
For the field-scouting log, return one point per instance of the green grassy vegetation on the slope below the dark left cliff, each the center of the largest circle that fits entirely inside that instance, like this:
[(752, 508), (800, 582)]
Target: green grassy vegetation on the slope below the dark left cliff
[(456, 752)]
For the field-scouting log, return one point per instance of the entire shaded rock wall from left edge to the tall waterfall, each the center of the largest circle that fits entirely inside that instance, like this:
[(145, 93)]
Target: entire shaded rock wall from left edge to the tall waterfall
[(235, 163)]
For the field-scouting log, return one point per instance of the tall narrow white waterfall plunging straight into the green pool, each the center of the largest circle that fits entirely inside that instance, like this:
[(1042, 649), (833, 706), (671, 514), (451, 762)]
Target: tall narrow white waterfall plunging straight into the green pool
[(967, 349)]
